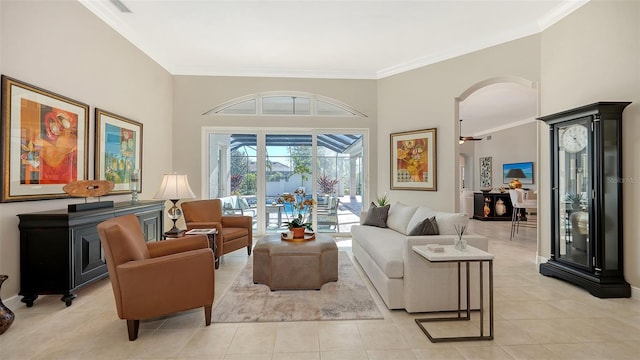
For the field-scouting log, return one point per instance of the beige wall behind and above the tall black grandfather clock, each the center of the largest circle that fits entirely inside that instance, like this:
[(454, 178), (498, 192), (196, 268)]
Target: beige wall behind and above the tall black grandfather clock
[(594, 55)]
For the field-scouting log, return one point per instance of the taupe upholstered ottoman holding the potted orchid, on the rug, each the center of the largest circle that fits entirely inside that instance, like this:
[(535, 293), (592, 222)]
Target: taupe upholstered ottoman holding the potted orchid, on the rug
[(293, 265)]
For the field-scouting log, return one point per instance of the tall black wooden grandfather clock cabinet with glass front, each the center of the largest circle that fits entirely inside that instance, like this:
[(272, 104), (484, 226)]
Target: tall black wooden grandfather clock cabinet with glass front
[(586, 198)]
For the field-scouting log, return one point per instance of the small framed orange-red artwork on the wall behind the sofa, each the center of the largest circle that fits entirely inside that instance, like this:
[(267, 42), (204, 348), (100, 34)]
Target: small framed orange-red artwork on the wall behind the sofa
[(413, 160)]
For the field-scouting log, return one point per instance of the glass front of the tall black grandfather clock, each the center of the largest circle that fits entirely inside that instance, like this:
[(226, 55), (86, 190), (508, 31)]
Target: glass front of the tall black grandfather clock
[(574, 192)]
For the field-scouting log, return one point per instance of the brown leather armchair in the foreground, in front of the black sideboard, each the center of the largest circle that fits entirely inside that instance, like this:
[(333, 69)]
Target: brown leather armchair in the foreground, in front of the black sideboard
[(156, 278)]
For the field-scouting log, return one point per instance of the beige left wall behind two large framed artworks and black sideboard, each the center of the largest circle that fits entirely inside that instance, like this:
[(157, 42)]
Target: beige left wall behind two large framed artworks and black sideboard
[(62, 47)]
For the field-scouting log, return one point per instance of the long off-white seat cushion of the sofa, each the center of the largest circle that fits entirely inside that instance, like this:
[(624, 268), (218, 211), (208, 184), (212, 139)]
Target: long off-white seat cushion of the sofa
[(384, 246)]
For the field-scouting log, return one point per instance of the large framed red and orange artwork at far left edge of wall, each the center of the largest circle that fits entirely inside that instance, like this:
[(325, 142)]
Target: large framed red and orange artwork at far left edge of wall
[(44, 142)]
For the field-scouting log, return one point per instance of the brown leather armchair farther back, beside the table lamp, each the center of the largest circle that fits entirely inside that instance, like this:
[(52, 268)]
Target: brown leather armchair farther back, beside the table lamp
[(234, 231)]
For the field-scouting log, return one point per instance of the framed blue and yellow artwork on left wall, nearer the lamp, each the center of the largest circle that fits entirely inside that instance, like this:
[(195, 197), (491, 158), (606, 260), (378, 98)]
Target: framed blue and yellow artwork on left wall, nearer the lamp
[(118, 151)]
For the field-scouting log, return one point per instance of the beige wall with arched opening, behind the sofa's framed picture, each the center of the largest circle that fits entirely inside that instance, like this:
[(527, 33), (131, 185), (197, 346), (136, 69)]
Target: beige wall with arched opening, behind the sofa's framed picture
[(425, 98)]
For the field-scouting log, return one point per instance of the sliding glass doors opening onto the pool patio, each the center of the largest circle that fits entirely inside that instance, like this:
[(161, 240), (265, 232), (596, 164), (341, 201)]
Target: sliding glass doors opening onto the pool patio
[(250, 170)]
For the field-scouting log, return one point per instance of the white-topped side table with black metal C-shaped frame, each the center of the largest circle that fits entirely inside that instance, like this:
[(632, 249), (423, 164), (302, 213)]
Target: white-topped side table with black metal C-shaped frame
[(467, 256)]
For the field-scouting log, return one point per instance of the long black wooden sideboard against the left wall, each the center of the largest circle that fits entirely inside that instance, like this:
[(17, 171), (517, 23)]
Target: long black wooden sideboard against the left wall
[(60, 251)]
